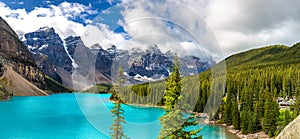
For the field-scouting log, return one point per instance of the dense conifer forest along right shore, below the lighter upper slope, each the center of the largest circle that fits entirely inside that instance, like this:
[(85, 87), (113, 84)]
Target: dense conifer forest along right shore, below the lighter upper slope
[(249, 103)]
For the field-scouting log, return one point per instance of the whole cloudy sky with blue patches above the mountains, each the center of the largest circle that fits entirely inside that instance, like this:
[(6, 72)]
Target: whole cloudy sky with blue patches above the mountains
[(216, 27)]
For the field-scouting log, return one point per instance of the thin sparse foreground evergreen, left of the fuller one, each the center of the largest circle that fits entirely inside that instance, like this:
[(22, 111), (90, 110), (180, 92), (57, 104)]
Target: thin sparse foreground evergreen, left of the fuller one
[(117, 131)]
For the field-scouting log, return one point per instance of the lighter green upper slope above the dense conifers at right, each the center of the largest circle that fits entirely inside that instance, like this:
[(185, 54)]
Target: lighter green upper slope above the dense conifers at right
[(275, 55)]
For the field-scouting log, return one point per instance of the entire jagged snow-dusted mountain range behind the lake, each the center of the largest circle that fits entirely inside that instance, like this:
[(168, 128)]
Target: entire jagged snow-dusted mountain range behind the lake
[(53, 53)]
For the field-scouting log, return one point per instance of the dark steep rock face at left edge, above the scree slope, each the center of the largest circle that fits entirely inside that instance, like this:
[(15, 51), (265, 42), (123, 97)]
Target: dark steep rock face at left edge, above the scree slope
[(15, 53)]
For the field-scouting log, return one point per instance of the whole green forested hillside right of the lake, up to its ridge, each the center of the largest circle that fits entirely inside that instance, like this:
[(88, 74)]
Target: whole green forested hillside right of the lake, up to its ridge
[(255, 79)]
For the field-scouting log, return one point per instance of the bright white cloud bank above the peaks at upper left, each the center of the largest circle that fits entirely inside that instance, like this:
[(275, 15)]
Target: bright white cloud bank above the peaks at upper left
[(57, 17)]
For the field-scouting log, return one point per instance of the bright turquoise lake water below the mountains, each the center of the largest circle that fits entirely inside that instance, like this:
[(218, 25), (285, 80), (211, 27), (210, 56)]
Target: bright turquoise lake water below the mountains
[(80, 116)]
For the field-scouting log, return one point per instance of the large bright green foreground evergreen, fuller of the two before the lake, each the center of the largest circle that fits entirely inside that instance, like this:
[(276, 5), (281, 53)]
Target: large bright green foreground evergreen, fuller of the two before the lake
[(174, 122)]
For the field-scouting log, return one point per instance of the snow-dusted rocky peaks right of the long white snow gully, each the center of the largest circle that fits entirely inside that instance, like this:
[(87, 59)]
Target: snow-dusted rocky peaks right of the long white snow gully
[(150, 63)]
